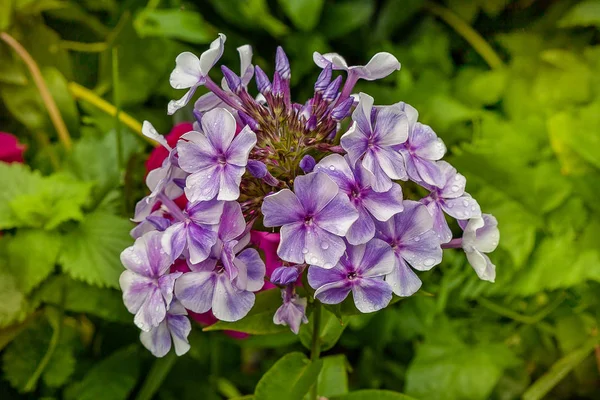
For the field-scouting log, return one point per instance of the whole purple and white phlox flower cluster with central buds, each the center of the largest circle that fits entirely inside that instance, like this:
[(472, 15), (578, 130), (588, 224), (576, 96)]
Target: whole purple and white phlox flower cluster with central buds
[(326, 175)]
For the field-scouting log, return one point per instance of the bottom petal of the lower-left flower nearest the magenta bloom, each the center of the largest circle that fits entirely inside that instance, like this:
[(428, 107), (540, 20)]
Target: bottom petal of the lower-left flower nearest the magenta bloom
[(229, 303)]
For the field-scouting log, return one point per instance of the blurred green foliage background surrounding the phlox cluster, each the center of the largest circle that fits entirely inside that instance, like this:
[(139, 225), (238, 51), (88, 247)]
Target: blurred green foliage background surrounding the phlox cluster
[(513, 88)]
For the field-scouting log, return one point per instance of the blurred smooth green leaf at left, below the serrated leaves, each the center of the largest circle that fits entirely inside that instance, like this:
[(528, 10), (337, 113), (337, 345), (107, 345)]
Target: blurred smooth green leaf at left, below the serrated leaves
[(32, 255)]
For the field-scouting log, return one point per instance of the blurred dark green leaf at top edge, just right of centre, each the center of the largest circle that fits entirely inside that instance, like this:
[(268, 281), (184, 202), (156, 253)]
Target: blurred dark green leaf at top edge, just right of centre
[(342, 18)]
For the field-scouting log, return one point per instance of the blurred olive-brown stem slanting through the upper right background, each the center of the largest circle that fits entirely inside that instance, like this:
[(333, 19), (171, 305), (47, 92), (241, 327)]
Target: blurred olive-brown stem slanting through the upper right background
[(468, 33)]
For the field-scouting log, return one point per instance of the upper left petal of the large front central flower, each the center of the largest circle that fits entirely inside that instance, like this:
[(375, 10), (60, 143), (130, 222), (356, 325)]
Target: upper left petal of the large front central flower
[(282, 208)]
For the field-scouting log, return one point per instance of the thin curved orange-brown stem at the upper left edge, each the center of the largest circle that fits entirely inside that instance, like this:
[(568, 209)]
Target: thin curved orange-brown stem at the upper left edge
[(38, 79)]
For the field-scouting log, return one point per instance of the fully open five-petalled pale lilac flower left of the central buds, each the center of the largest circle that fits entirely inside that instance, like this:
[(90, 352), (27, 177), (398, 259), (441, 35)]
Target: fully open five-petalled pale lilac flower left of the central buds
[(216, 158)]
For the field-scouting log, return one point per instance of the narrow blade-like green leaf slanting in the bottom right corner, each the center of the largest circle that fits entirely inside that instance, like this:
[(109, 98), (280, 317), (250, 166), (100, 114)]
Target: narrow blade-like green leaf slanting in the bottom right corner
[(559, 371)]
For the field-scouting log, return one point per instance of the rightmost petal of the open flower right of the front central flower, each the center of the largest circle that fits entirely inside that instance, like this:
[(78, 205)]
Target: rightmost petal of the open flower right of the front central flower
[(423, 252)]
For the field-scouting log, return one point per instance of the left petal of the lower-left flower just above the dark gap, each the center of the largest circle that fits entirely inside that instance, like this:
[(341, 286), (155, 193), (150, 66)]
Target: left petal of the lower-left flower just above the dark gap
[(195, 290)]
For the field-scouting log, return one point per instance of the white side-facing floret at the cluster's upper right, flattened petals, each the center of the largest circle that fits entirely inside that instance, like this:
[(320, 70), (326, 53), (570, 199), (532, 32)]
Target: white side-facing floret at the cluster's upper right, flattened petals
[(381, 65)]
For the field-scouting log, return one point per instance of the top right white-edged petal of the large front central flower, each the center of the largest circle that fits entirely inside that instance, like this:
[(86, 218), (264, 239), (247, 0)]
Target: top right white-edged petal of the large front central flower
[(315, 191)]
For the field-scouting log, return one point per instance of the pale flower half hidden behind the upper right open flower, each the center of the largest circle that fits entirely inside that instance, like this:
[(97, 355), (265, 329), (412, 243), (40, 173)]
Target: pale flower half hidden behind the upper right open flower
[(421, 150)]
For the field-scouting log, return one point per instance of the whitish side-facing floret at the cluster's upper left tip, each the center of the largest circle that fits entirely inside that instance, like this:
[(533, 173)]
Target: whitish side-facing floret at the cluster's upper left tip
[(191, 71)]
